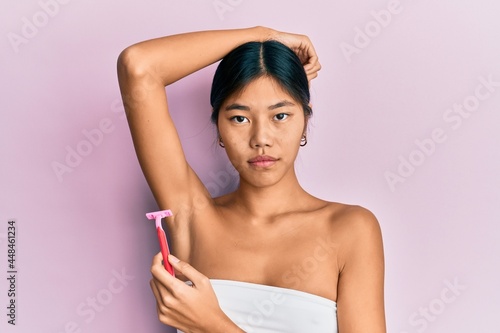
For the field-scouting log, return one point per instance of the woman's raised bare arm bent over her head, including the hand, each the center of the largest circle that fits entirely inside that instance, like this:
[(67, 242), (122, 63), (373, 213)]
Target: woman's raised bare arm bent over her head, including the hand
[(144, 69)]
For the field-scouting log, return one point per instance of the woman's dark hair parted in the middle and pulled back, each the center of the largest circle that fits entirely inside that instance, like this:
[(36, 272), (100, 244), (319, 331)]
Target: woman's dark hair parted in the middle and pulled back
[(254, 60)]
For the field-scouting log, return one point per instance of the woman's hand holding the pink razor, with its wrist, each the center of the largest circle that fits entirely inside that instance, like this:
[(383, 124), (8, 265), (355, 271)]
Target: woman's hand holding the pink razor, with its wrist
[(188, 308)]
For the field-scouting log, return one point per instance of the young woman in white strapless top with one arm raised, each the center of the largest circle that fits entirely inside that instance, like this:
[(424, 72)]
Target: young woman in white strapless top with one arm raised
[(268, 257)]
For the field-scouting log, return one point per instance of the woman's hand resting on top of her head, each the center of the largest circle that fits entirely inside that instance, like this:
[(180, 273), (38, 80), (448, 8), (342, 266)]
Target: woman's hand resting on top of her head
[(303, 48)]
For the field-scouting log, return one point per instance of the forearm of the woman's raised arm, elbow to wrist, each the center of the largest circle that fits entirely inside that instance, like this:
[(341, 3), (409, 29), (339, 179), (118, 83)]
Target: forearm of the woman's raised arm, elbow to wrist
[(171, 58)]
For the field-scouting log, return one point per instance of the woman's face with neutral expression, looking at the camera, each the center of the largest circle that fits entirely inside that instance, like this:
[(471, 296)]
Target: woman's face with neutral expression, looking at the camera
[(261, 128)]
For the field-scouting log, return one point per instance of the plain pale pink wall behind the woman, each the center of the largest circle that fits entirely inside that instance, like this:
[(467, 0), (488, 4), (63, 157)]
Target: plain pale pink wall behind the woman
[(394, 84)]
